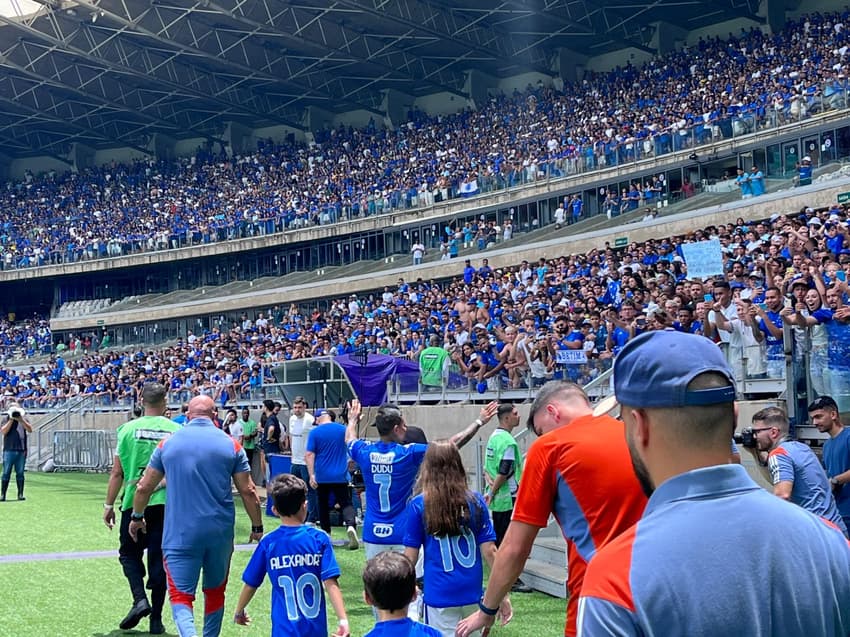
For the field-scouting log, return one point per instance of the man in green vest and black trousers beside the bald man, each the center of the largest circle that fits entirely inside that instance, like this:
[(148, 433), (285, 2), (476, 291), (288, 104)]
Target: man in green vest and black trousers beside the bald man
[(137, 440)]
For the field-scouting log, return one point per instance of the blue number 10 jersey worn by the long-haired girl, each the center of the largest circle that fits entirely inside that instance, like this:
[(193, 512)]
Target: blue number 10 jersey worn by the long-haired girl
[(453, 565)]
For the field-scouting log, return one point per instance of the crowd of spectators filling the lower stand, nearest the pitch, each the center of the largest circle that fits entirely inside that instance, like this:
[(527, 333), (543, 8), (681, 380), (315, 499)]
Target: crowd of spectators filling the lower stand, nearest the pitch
[(518, 326)]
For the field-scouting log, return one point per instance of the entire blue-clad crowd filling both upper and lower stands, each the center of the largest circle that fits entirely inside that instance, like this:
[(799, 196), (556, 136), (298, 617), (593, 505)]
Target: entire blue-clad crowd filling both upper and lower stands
[(504, 327)]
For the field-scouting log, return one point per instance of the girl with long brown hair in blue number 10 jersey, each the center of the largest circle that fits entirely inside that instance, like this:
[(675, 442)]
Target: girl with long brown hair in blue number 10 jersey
[(452, 525)]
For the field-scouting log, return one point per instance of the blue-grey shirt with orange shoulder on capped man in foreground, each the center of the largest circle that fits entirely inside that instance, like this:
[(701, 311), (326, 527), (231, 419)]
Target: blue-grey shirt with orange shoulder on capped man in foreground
[(670, 574)]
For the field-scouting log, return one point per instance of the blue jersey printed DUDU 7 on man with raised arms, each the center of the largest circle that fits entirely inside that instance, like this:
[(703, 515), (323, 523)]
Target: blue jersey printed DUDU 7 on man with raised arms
[(389, 472)]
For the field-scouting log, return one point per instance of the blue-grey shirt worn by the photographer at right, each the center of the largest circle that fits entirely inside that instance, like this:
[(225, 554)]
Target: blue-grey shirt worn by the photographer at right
[(795, 462)]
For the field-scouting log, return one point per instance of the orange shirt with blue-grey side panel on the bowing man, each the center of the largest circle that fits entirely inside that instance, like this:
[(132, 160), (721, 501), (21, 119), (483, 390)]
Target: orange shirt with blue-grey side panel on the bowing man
[(582, 473)]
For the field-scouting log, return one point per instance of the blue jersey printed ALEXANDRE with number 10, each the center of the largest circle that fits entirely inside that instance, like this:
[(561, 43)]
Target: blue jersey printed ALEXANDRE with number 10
[(297, 560)]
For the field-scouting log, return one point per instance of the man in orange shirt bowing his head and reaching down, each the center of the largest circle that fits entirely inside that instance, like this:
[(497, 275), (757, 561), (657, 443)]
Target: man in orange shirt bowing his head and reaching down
[(580, 471)]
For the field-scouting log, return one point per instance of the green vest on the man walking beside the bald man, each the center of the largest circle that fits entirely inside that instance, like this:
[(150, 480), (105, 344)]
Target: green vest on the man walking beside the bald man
[(137, 440)]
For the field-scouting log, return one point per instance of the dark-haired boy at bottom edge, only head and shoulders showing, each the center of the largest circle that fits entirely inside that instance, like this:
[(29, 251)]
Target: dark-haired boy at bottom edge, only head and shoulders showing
[(389, 584)]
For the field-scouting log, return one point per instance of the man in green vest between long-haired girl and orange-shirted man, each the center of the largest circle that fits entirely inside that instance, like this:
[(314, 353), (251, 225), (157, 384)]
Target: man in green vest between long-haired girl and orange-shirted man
[(502, 471)]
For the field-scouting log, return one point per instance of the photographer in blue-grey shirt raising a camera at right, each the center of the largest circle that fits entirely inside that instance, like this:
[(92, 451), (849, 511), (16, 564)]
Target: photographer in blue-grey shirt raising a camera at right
[(791, 466)]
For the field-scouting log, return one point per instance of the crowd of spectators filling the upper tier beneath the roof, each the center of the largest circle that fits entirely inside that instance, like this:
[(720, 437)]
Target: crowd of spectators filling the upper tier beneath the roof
[(713, 89)]
